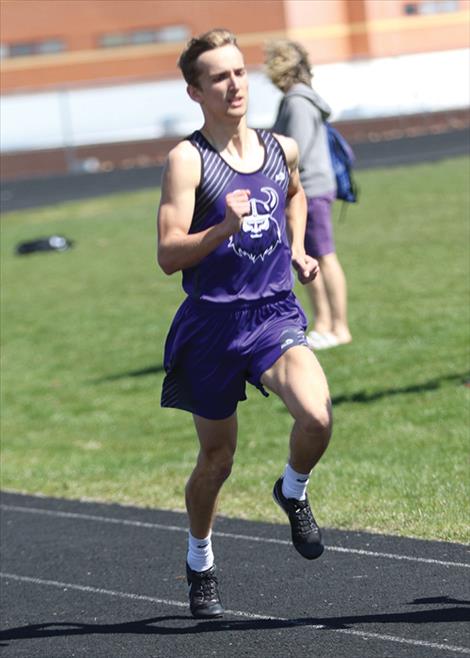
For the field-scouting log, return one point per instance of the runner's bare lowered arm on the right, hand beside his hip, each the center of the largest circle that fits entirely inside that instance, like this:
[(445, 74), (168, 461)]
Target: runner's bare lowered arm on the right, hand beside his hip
[(296, 214)]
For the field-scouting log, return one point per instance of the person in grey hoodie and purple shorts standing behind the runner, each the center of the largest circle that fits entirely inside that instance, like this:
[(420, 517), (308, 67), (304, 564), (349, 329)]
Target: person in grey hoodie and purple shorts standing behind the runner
[(301, 115)]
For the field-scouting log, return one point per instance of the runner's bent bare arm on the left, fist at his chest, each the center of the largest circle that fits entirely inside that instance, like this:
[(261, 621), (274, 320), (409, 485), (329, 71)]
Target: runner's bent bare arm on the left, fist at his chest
[(177, 249)]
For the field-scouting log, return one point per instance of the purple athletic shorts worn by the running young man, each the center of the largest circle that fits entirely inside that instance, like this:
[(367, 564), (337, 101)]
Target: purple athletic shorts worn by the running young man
[(212, 350)]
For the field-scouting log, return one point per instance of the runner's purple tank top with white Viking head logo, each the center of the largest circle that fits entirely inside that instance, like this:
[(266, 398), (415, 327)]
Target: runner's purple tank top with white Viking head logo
[(256, 262)]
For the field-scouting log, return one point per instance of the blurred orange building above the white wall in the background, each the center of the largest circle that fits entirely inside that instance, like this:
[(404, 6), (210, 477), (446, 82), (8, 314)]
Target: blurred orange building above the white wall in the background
[(49, 43)]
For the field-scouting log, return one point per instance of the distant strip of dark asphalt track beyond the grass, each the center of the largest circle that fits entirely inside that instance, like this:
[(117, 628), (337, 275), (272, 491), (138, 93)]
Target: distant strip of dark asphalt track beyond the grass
[(21, 194)]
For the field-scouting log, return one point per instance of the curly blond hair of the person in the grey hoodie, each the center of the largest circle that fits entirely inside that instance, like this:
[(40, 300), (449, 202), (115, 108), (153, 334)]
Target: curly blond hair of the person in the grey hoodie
[(287, 62)]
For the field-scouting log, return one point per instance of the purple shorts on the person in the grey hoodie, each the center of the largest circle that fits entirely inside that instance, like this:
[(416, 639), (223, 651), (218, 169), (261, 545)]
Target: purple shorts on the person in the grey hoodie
[(319, 233)]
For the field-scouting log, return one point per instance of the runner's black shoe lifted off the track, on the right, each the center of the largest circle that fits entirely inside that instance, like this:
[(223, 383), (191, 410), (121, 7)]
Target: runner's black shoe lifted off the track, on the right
[(306, 535)]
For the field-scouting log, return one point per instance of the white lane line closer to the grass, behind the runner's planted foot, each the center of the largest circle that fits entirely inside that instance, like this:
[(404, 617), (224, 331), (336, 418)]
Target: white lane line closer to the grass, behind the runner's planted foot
[(228, 535)]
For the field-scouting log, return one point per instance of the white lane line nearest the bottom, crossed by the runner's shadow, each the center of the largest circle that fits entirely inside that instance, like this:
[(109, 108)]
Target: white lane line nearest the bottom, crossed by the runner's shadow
[(237, 613)]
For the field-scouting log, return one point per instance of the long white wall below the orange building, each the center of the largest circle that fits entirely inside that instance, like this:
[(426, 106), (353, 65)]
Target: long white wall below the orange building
[(355, 90)]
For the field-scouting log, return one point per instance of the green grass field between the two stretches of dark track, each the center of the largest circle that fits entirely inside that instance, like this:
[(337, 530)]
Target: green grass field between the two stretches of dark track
[(83, 333)]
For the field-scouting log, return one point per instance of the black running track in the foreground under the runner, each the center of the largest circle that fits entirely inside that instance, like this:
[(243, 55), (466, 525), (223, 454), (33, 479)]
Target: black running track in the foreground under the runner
[(106, 581)]
